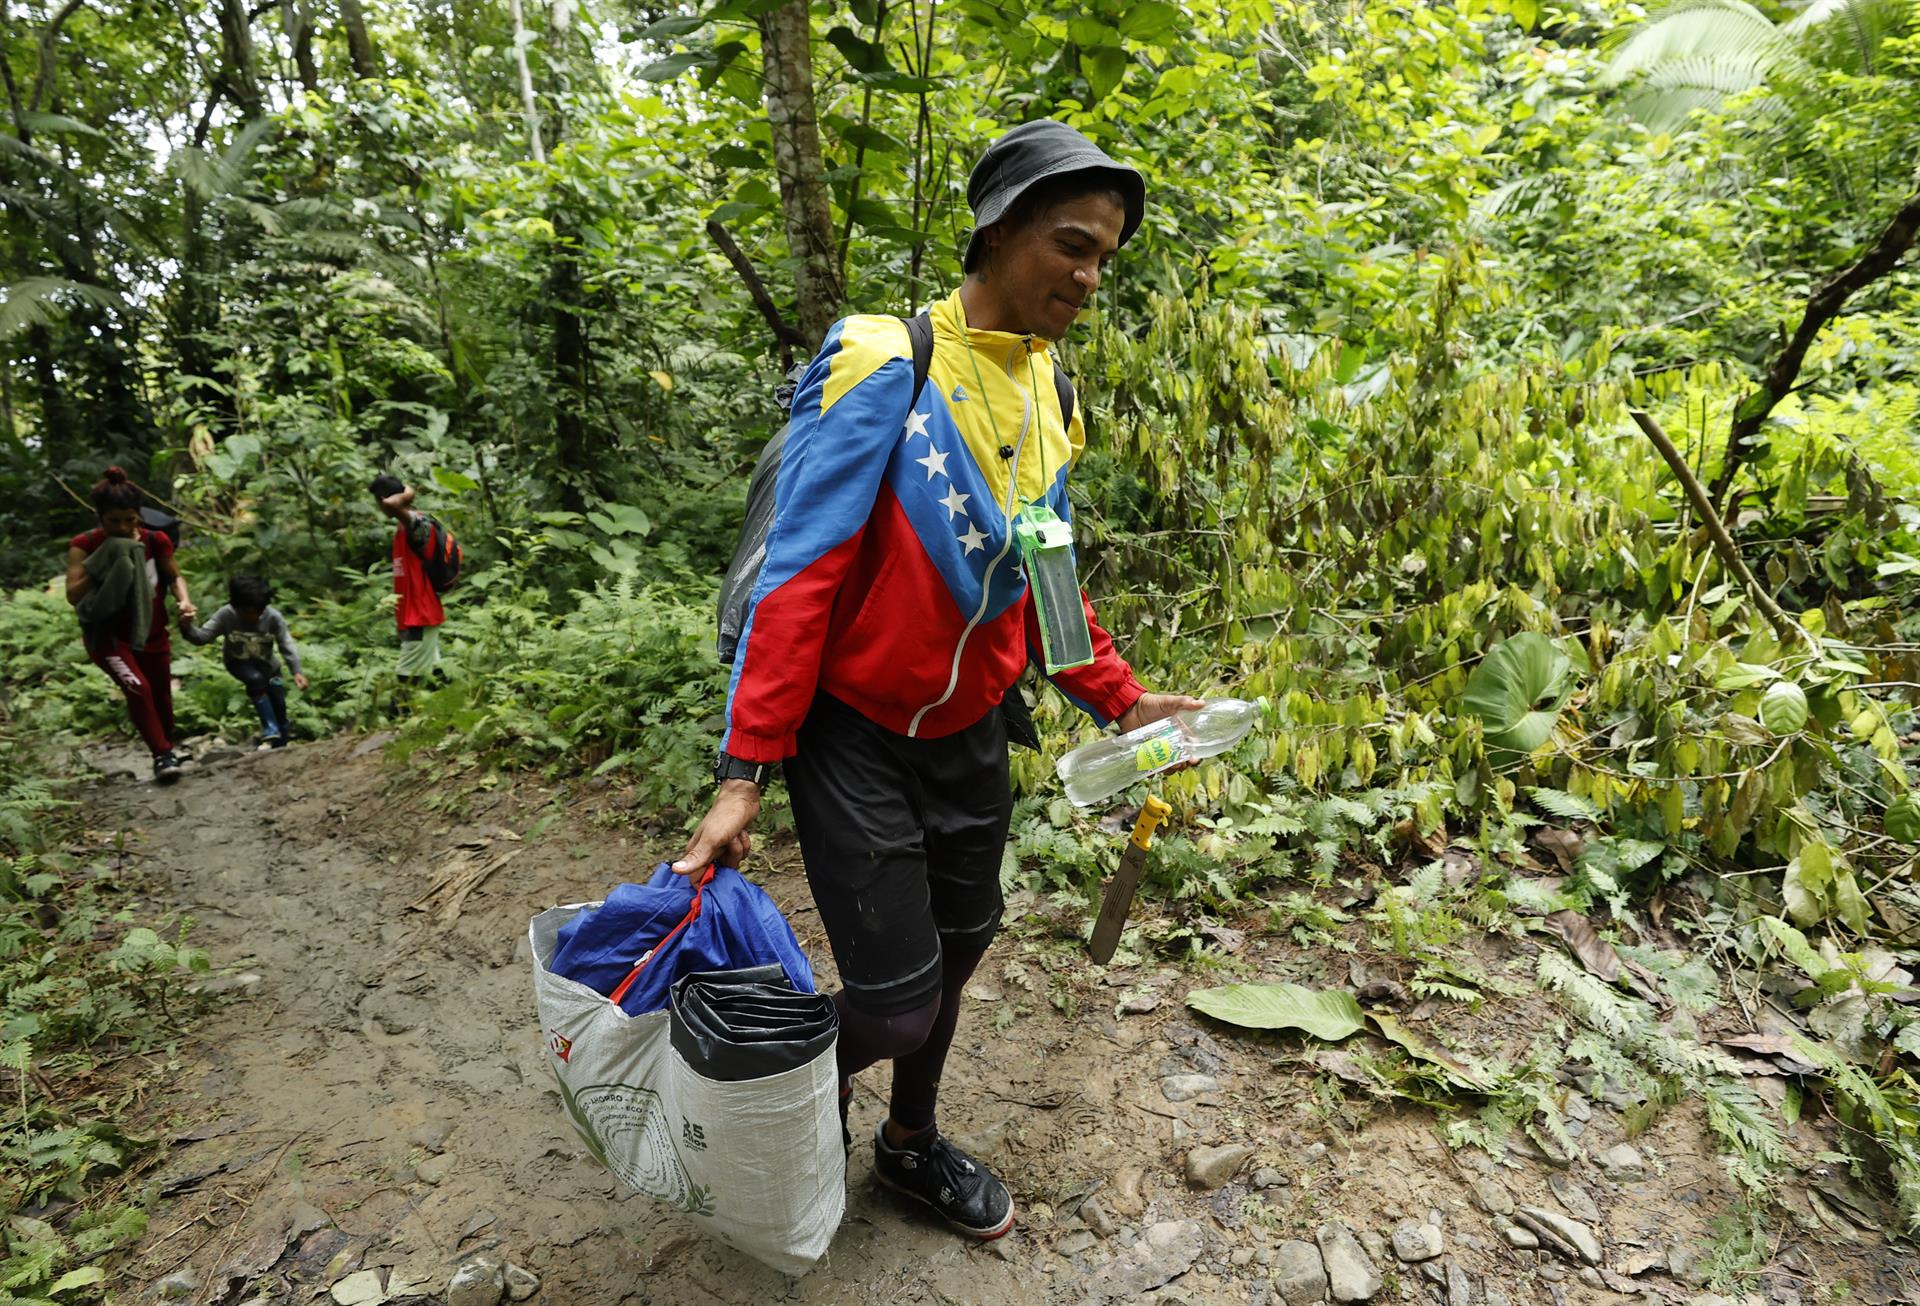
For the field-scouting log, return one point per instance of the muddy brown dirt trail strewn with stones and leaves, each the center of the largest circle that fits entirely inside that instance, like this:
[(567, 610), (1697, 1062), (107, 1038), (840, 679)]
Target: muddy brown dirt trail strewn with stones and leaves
[(373, 1098)]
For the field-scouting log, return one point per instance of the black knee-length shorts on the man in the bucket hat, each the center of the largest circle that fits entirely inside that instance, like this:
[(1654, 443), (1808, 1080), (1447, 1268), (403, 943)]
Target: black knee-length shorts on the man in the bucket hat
[(903, 844)]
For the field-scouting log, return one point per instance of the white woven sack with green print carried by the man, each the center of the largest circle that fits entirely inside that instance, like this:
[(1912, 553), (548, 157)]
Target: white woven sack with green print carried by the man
[(759, 1165)]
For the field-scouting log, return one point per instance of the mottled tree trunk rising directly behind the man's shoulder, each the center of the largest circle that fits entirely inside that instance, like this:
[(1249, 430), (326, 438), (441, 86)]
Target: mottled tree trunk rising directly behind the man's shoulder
[(788, 72)]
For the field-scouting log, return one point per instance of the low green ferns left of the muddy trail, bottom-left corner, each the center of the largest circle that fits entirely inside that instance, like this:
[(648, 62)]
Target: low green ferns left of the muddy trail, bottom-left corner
[(93, 1004)]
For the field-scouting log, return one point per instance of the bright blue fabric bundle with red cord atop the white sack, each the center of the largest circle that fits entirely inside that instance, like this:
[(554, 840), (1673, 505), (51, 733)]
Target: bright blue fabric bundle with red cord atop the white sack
[(717, 921)]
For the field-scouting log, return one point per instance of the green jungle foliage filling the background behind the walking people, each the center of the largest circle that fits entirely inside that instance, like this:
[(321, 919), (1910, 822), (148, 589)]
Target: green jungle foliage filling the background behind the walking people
[(1360, 400)]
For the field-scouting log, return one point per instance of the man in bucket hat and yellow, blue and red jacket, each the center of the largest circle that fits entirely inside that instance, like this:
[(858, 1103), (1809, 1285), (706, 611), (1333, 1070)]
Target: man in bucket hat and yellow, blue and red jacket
[(894, 614)]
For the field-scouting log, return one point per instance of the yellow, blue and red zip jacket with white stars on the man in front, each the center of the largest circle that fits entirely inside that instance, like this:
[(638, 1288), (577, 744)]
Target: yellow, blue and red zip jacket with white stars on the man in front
[(892, 579)]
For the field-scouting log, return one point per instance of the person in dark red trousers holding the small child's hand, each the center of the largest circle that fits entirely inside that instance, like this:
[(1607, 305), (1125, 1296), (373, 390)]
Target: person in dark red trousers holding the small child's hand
[(145, 675)]
